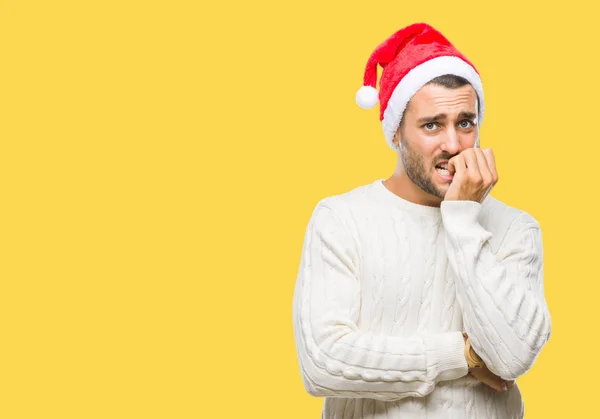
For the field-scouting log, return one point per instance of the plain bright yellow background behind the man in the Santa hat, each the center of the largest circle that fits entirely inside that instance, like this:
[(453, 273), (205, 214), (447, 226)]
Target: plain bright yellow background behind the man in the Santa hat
[(160, 161)]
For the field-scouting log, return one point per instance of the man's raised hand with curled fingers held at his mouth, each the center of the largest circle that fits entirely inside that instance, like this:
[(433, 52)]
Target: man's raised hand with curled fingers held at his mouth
[(475, 175)]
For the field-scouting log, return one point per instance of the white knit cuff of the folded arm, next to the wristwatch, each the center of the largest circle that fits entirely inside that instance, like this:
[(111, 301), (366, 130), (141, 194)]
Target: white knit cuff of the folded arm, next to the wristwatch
[(448, 355)]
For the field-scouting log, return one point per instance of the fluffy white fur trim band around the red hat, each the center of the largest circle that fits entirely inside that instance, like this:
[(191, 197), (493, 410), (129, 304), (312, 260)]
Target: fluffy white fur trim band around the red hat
[(417, 78)]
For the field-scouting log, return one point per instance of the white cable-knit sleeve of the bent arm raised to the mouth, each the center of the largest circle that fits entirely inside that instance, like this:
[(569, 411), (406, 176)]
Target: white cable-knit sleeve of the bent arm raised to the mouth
[(501, 294)]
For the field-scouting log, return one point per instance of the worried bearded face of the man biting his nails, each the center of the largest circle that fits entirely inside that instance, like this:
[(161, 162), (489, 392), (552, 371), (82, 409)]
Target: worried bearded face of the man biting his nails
[(438, 124)]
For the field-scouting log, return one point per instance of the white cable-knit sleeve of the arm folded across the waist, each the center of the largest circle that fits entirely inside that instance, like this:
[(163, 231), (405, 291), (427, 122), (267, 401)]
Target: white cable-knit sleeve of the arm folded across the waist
[(338, 359)]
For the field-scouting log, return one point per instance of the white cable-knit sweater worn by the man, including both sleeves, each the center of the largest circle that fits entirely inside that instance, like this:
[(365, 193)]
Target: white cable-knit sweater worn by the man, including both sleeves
[(386, 287)]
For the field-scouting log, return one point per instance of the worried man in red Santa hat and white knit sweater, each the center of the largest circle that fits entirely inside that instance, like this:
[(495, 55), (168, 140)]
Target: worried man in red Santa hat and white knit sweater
[(421, 295)]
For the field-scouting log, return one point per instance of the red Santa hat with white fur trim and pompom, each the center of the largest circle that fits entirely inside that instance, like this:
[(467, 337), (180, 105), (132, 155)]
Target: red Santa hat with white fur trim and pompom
[(411, 58)]
